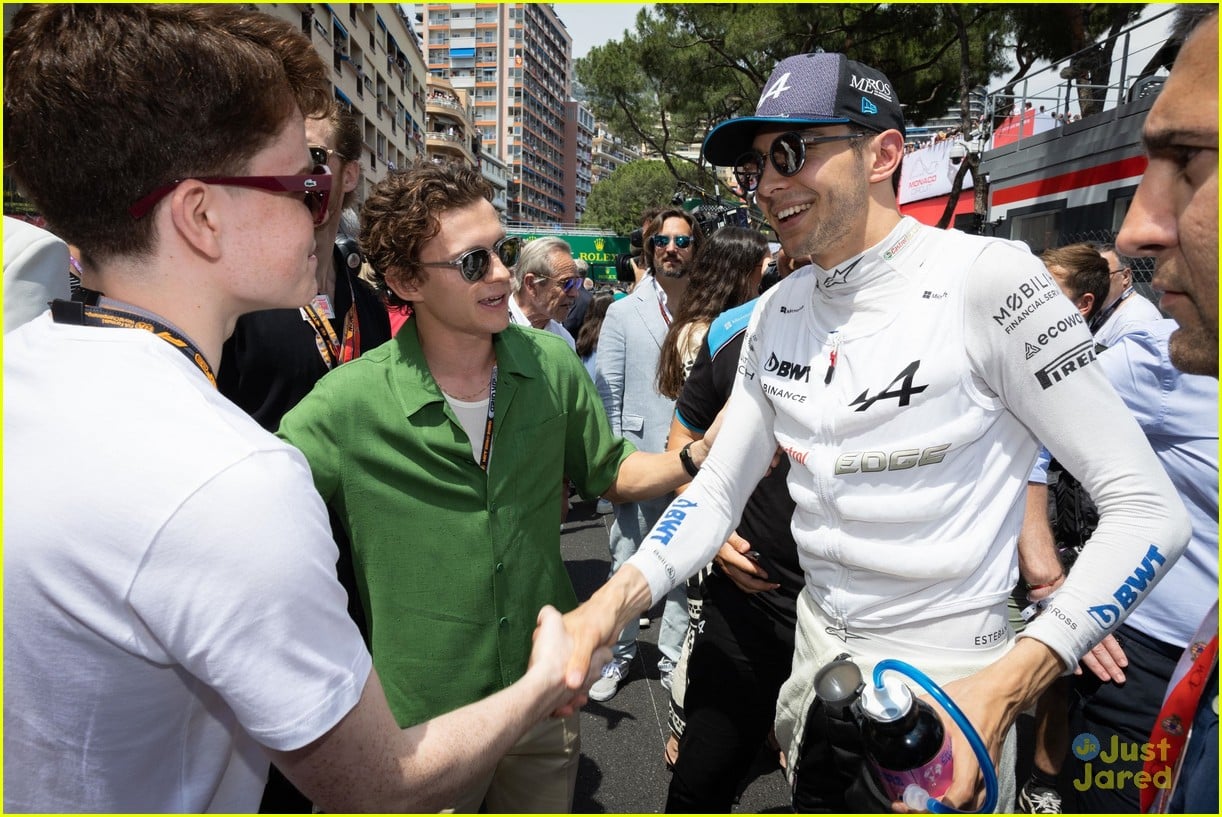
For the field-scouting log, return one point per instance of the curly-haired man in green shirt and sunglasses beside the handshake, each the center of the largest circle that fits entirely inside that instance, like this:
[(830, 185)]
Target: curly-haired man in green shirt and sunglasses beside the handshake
[(442, 451)]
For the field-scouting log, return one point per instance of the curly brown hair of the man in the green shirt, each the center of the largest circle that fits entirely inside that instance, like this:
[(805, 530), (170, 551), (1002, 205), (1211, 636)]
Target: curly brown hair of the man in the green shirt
[(404, 212)]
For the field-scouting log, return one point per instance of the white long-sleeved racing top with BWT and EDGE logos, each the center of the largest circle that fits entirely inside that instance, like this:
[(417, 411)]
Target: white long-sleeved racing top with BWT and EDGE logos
[(909, 459)]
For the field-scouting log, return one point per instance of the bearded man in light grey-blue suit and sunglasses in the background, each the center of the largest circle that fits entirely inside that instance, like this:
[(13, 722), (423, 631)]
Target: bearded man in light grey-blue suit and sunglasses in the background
[(630, 346)]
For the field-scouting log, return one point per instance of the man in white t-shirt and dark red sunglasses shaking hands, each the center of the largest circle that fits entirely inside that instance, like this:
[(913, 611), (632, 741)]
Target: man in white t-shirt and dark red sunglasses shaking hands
[(173, 617)]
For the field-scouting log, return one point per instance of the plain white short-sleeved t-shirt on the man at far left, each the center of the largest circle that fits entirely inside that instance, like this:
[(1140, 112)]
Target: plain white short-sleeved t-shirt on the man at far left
[(170, 597)]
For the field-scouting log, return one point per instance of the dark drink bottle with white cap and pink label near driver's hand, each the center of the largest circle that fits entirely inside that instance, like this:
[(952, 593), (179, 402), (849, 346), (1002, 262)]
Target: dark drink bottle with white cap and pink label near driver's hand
[(905, 741)]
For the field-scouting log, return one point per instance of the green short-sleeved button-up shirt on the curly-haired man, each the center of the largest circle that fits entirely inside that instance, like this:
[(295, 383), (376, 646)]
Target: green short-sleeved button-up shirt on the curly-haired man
[(453, 565)]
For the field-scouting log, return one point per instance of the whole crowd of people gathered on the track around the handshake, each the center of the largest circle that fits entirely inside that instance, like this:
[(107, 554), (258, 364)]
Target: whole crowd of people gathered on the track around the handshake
[(315, 478)]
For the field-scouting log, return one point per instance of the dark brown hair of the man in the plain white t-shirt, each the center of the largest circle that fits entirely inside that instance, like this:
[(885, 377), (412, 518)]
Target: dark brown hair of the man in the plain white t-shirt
[(103, 104)]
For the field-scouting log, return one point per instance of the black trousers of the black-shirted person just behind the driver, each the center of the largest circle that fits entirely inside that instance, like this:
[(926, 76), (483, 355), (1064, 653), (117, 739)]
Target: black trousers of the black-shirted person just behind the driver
[(740, 659)]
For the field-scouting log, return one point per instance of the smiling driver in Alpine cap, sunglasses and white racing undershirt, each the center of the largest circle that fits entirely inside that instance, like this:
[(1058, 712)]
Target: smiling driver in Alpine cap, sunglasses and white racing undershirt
[(907, 374)]
